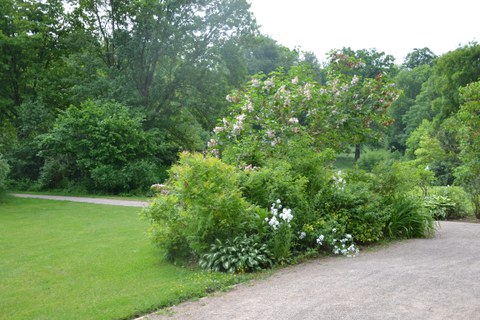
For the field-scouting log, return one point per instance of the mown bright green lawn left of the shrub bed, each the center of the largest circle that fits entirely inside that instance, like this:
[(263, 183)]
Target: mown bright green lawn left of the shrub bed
[(64, 260)]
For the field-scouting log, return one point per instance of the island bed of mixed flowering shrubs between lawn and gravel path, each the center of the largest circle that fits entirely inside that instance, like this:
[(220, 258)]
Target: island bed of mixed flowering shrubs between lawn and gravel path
[(265, 190)]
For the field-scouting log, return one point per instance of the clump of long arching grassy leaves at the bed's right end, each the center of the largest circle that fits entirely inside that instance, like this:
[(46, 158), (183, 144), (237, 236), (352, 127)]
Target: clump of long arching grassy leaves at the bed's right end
[(409, 219)]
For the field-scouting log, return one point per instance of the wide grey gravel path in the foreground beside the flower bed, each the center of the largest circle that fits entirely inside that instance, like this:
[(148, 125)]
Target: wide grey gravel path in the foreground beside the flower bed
[(435, 278)]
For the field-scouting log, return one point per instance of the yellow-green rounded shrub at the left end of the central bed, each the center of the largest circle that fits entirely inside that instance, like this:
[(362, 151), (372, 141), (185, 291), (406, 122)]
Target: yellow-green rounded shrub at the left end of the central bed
[(202, 203)]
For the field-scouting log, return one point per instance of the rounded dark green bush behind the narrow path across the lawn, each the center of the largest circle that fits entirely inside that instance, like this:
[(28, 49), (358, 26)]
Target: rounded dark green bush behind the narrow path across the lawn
[(100, 146)]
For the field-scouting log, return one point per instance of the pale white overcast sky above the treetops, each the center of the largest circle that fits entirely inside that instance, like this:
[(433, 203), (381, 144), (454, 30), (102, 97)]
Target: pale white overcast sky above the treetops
[(395, 27)]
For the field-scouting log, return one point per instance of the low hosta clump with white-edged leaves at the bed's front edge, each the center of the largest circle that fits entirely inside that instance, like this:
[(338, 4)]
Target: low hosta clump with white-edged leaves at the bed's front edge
[(242, 254)]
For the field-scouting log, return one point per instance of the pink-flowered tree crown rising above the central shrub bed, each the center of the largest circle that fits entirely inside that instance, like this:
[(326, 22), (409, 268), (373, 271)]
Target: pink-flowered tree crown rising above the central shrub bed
[(274, 112)]
